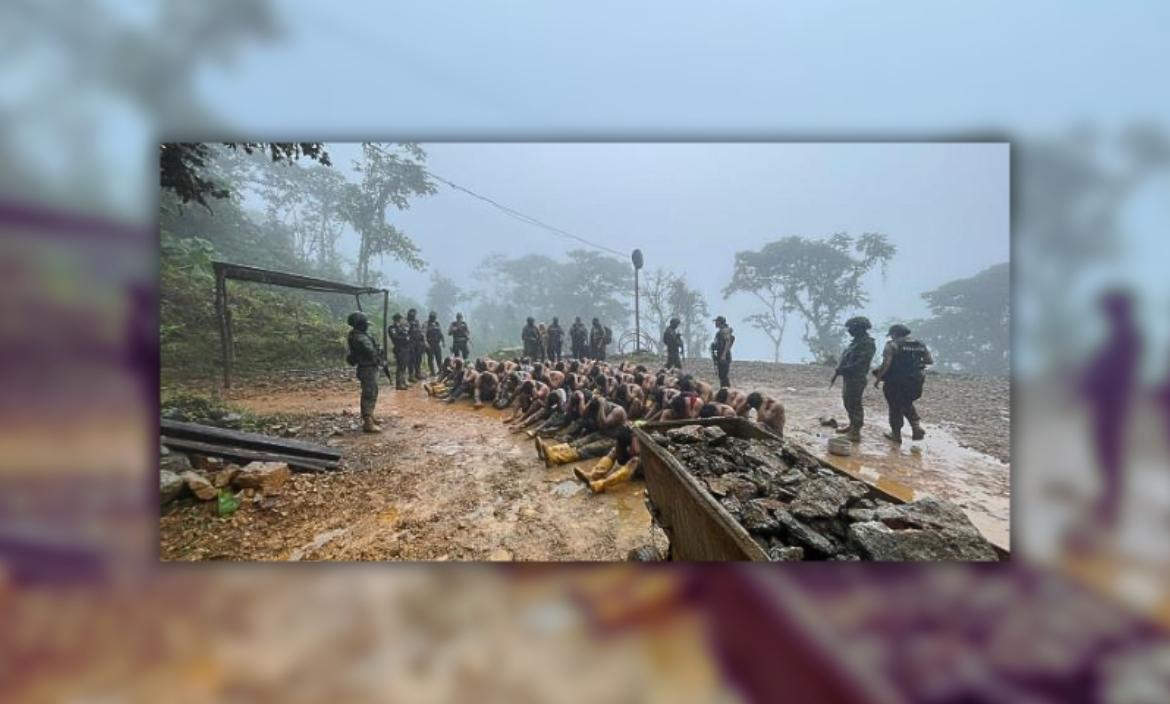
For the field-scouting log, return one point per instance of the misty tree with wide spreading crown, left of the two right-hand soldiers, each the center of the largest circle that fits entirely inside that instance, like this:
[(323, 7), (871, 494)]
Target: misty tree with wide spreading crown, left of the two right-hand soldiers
[(818, 279)]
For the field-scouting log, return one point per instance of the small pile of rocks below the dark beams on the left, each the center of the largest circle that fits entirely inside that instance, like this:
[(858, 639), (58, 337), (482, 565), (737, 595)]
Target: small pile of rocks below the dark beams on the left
[(204, 479)]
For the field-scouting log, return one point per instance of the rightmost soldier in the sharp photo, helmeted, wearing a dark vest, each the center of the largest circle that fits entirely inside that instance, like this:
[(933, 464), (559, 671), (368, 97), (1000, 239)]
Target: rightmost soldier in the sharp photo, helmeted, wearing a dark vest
[(903, 370)]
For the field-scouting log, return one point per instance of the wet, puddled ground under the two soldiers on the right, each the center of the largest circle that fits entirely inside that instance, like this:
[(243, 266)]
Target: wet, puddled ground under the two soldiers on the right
[(965, 458)]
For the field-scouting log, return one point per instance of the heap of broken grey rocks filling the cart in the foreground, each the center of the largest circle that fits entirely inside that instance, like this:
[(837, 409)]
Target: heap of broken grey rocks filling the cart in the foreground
[(797, 509)]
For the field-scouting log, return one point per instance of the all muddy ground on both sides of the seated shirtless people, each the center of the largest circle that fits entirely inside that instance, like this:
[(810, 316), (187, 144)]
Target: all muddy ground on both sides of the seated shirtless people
[(445, 482)]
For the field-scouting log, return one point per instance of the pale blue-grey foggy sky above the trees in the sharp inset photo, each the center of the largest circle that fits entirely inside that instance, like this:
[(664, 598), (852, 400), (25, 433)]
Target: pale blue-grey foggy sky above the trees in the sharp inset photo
[(690, 208)]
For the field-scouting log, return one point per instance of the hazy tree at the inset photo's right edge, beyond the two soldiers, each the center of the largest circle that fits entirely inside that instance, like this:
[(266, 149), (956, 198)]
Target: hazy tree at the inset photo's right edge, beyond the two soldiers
[(971, 329)]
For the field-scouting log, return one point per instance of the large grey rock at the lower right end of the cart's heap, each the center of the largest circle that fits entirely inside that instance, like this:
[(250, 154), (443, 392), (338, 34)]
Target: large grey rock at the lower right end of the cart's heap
[(927, 530)]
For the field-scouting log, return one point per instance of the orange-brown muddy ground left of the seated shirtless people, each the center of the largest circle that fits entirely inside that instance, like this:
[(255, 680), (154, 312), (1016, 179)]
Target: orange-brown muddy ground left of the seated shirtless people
[(443, 482)]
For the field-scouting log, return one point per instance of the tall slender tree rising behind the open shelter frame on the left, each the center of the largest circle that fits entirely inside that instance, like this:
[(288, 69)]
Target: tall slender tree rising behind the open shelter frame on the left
[(390, 176)]
